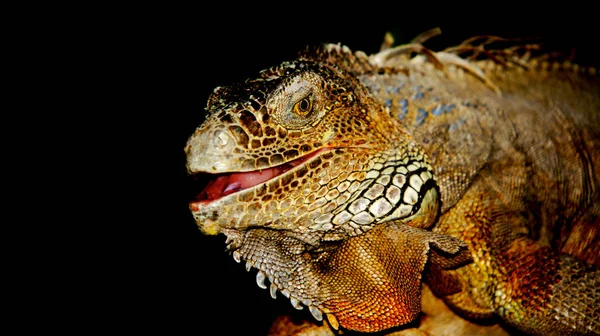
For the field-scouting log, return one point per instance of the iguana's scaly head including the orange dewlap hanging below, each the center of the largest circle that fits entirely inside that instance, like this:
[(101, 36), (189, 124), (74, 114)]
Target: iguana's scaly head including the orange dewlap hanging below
[(302, 163)]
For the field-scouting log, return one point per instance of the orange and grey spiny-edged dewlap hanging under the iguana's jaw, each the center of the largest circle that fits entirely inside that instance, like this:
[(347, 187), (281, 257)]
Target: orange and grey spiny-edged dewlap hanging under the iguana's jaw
[(369, 283)]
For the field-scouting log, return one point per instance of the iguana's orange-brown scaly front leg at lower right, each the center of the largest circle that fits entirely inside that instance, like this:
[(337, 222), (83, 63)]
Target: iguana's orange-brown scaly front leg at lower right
[(528, 284)]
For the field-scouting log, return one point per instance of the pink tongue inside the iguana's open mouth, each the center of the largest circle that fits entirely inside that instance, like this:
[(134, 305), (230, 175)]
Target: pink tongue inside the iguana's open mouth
[(228, 184)]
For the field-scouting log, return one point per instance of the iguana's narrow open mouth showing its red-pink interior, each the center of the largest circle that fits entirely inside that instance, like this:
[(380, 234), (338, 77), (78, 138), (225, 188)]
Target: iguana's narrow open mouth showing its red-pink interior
[(215, 186)]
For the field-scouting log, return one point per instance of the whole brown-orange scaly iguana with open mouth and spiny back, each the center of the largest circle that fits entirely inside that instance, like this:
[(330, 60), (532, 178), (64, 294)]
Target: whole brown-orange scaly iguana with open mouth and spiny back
[(351, 180)]
